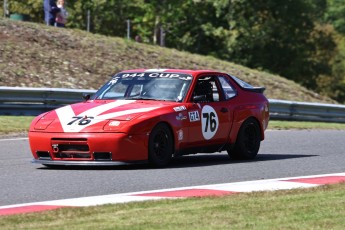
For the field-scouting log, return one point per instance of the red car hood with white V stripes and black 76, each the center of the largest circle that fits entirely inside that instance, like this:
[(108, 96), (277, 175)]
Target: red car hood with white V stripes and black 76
[(95, 115)]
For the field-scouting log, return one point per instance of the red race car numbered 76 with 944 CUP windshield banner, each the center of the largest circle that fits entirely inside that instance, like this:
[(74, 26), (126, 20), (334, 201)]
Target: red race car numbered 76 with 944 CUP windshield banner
[(153, 115)]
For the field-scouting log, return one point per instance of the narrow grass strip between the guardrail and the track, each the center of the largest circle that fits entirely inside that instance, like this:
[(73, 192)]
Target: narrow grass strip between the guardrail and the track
[(20, 124)]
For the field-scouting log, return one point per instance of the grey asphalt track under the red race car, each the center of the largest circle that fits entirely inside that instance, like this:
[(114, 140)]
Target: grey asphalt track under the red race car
[(282, 154)]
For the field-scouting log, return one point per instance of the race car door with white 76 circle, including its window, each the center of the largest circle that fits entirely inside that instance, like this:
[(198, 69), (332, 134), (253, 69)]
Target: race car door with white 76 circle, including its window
[(210, 114)]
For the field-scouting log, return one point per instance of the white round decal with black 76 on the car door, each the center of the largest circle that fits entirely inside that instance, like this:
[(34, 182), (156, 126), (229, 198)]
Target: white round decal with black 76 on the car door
[(209, 122)]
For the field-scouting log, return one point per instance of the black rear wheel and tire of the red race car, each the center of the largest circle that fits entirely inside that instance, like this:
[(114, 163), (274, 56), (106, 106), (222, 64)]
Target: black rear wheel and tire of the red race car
[(248, 141)]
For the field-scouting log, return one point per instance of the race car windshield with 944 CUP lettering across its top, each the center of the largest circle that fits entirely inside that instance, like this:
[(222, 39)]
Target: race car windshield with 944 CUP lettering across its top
[(146, 86)]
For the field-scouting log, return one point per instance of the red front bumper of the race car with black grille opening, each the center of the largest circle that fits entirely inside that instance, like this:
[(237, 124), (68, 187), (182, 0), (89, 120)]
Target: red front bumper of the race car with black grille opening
[(87, 148)]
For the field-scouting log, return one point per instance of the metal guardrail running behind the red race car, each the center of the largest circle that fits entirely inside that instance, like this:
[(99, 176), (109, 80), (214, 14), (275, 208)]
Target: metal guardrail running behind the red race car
[(33, 101)]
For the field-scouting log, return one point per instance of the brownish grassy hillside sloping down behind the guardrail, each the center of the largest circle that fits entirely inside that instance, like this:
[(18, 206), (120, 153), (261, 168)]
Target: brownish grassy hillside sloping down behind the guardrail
[(35, 55)]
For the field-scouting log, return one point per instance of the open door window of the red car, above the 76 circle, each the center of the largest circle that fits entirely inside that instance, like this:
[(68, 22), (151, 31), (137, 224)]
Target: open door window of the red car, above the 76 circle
[(206, 90)]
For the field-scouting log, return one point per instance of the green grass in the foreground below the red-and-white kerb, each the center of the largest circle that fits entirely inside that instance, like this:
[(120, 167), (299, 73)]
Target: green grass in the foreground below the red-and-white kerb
[(316, 208)]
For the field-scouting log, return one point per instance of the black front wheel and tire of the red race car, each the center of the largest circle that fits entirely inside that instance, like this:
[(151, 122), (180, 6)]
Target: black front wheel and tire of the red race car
[(161, 145)]
